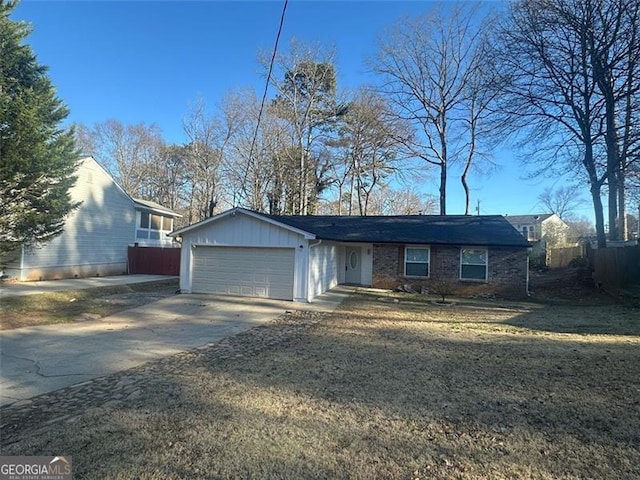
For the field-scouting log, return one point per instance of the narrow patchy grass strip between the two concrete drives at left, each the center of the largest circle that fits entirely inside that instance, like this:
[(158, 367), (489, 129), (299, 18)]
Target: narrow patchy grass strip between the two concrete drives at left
[(71, 305)]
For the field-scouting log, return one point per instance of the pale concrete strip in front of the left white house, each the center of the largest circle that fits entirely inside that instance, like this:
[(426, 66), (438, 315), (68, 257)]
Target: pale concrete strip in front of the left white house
[(13, 289)]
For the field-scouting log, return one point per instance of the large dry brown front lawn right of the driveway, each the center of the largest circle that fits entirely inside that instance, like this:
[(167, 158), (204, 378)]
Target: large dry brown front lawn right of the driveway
[(383, 391)]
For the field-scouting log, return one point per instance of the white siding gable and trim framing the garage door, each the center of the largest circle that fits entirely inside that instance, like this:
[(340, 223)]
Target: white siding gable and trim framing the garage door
[(242, 230)]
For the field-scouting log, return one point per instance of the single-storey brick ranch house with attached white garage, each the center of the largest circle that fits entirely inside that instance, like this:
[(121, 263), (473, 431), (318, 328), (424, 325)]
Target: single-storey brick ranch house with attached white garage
[(241, 252)]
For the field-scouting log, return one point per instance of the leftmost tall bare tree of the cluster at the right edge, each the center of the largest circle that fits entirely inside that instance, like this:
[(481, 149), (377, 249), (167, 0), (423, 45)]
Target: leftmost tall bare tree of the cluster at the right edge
[(550, 97)]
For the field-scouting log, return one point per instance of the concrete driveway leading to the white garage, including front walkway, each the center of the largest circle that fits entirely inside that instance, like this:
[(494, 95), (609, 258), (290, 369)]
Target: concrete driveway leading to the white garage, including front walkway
[(37, 360)]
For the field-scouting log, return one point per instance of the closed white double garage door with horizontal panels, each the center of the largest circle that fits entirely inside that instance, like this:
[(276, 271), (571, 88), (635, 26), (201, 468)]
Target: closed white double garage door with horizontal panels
[(252, 272)]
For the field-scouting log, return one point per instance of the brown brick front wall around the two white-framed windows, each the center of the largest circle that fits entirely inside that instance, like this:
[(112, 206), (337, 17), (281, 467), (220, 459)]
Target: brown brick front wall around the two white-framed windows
[(507, 271)]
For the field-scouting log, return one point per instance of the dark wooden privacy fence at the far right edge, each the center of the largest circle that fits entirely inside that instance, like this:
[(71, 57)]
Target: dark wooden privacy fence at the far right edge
[(616, 267)]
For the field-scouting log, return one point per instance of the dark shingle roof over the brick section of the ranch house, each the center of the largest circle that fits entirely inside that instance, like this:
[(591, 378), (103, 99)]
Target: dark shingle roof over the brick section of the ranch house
[(485, 230)]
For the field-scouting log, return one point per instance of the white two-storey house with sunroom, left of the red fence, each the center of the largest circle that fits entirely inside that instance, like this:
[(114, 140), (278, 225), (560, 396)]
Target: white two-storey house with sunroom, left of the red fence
[(97, 234)]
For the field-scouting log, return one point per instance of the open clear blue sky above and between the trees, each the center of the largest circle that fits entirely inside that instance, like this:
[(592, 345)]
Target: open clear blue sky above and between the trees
[(146, 61)]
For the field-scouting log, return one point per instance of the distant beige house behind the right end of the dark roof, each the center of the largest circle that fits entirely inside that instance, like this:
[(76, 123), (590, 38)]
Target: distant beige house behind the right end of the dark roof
[(543, 230)]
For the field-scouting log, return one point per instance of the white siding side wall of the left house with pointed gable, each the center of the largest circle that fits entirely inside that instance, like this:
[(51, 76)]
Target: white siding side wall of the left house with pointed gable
[(95, 237)]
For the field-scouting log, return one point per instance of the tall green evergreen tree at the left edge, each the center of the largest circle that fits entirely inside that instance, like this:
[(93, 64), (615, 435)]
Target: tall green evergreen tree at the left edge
[(37, 156)]
